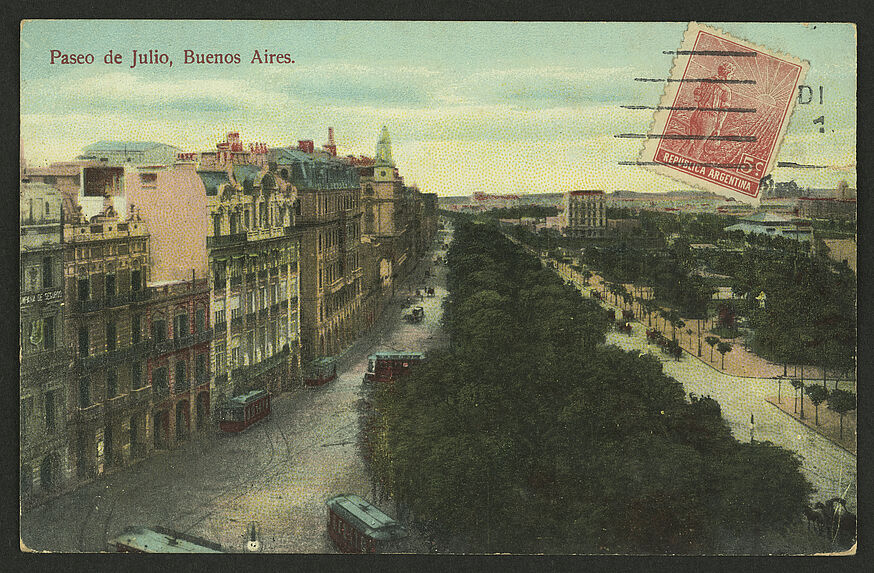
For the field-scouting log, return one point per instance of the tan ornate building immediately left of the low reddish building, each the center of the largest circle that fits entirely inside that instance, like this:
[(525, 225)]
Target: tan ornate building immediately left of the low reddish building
[(106, 271)]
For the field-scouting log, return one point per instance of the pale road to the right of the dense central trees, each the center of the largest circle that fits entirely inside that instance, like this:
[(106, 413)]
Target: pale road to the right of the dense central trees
[(830, 468)]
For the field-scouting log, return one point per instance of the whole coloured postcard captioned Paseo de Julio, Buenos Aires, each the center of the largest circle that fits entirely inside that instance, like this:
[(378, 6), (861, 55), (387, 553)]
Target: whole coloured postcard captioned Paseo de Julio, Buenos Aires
[(313, 287)]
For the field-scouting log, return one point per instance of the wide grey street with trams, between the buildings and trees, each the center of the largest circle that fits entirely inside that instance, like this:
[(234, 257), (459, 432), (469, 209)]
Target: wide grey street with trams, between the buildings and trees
[(278, 473)]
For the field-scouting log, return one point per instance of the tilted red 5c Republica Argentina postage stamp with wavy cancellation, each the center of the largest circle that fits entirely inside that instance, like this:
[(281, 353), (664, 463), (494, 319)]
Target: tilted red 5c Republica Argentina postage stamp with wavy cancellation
[(723, 114)]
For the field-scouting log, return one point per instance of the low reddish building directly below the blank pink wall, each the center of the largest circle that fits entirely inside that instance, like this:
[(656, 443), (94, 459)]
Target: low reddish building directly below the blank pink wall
[(179, 367)]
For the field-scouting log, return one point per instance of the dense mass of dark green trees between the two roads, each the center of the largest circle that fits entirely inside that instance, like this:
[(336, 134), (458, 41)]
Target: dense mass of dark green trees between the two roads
[(530, 435)]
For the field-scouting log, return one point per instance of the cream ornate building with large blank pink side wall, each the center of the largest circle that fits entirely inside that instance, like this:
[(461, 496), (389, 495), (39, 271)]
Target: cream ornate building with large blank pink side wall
[(223, 215)]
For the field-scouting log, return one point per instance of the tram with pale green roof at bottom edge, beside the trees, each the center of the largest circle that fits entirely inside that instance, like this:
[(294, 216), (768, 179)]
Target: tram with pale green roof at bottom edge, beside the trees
[(357, 526)]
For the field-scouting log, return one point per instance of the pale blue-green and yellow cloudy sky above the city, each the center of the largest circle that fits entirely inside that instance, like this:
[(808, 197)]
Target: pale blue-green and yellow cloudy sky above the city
[(481, 106)]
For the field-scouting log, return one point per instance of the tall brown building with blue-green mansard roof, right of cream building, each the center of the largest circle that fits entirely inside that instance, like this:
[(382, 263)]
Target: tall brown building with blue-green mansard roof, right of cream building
[(329, 219)]
